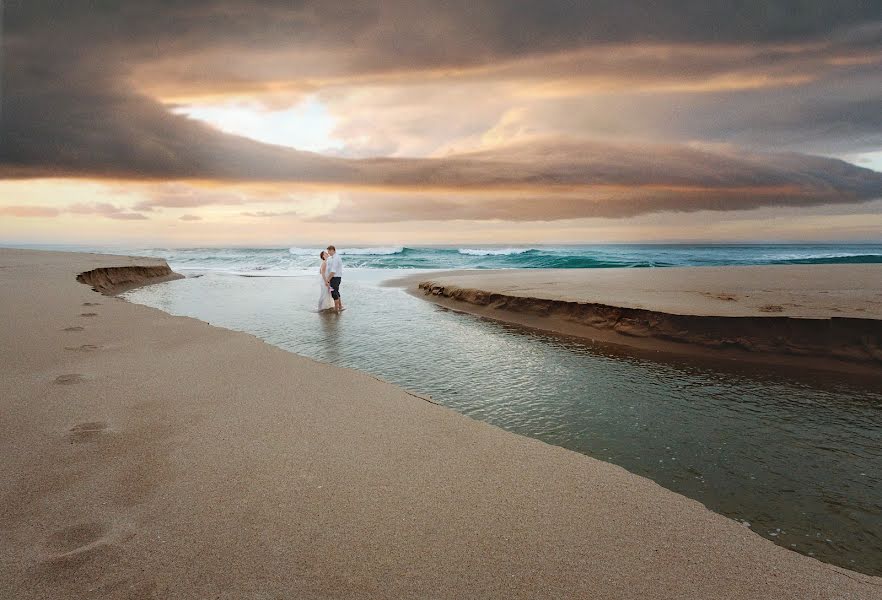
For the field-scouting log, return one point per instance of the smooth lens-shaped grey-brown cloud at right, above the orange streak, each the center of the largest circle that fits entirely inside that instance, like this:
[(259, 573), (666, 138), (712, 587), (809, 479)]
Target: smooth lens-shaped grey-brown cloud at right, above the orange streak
[(548, 163)]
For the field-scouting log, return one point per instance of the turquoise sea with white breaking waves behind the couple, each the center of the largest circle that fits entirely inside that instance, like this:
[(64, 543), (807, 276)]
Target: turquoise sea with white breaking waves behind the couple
[(297, 260)]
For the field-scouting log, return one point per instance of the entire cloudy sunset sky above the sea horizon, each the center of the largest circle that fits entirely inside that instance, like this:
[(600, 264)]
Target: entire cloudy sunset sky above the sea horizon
[(268, 123)]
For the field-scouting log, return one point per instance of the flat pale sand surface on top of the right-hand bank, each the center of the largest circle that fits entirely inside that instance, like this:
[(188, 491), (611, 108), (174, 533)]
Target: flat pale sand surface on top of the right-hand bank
[(801, 291)]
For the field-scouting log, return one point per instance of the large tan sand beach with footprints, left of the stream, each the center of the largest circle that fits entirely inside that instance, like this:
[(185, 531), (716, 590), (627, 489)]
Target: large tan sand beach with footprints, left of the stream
[(151, 456)]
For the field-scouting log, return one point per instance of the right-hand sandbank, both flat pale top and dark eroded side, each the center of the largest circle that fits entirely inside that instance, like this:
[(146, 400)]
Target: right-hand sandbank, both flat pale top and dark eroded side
[(825, 316)]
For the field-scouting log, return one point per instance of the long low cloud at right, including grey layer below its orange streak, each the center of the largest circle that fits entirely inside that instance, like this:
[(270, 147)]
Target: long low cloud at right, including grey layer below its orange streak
[(559, 179)]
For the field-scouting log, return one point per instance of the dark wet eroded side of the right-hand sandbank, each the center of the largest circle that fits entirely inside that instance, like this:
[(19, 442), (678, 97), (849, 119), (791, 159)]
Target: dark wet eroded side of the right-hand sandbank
[(841, 344)]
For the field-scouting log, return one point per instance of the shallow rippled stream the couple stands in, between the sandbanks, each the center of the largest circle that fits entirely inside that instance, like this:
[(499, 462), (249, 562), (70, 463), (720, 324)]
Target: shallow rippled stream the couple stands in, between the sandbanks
[(796, 456)]
